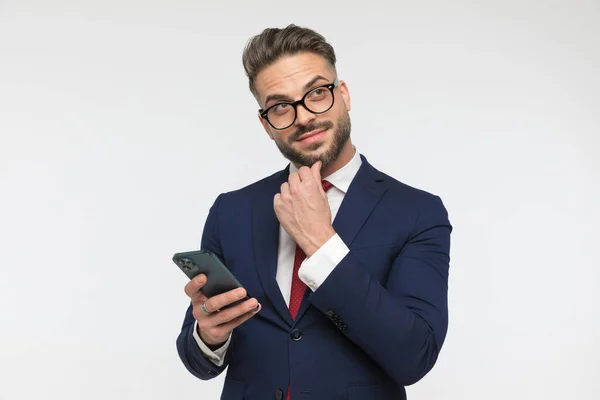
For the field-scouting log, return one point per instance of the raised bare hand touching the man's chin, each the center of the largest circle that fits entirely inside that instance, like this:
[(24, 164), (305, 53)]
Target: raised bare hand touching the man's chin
[(303, 209)]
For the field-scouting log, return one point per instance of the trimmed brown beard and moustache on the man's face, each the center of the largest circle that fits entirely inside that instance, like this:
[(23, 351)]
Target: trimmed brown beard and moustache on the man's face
[(339, 140)]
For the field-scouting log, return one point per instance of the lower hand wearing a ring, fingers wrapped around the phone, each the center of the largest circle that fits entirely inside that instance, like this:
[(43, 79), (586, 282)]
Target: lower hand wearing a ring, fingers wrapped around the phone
[(215, 327)]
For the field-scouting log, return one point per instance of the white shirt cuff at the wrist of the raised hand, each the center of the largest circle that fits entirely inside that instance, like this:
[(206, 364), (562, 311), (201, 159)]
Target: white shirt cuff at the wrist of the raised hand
[(316, 268)]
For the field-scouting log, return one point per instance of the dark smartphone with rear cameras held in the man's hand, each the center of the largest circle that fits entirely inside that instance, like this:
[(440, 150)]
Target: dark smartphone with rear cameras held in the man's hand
[(218, 277)]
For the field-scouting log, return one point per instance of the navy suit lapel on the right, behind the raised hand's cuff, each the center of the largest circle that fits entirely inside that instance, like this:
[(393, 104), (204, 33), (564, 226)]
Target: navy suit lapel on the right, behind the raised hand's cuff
[(364, 193)]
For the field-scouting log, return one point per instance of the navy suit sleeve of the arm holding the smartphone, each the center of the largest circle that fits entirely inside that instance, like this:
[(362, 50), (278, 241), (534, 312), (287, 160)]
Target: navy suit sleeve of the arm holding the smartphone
[(197, 362)]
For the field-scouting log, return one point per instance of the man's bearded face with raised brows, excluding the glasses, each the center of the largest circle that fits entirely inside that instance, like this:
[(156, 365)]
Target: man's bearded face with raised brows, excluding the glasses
[(312, 137)]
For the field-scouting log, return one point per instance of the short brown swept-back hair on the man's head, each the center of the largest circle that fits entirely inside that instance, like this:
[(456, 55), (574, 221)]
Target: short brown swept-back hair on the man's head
[(273, 43)]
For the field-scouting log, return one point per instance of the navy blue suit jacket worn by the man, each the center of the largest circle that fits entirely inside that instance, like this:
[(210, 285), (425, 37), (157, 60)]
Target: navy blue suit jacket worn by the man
[(375, 325)]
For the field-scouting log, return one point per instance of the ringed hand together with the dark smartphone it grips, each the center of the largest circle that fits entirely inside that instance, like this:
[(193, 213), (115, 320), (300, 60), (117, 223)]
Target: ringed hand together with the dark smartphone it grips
[(219, 301)]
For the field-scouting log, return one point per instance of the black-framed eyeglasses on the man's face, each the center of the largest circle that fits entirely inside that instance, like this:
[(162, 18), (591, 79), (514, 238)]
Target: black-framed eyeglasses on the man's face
[(317, 100)]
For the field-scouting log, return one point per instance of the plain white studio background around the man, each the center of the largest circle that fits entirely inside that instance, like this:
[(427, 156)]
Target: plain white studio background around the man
[(122, 120)]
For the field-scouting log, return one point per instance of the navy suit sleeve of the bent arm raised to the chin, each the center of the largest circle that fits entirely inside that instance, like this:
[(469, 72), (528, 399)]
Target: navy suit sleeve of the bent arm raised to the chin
[(403, 324)]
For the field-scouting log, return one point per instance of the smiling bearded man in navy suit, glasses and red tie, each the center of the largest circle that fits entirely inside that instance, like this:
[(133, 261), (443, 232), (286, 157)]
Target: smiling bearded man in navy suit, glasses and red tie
[(346, 267)]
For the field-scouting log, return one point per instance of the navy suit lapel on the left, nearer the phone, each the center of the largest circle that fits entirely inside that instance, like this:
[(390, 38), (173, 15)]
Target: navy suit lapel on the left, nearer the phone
[(265, 230)]
